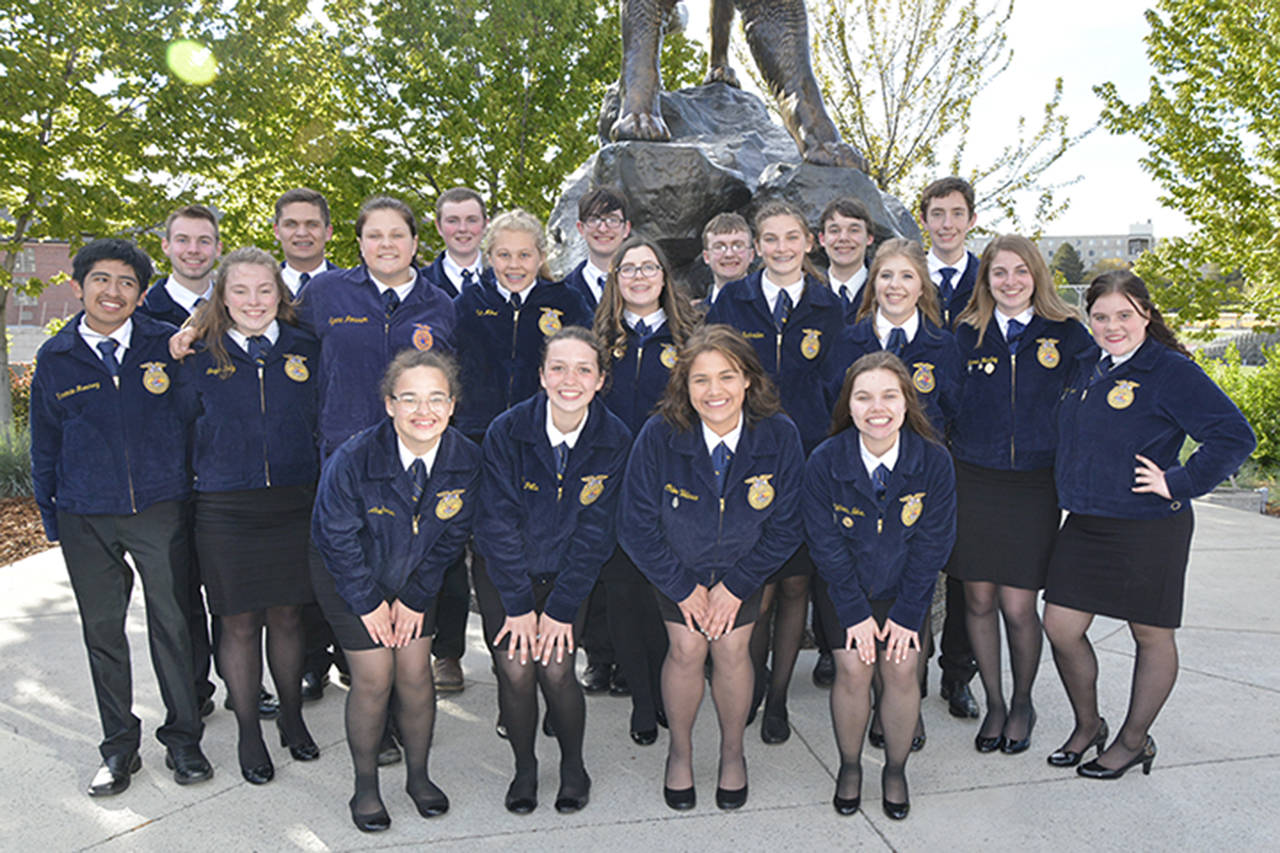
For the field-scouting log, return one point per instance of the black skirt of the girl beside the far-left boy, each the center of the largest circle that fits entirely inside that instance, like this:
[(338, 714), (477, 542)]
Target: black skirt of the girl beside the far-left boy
[(253, 548)]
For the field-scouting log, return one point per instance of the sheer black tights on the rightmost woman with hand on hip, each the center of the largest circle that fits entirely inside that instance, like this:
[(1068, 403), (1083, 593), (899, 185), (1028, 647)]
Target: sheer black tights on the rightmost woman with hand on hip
[(1155, 669)]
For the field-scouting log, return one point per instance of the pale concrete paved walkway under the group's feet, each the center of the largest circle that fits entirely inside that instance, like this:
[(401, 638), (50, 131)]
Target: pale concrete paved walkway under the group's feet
[(1215, 783)]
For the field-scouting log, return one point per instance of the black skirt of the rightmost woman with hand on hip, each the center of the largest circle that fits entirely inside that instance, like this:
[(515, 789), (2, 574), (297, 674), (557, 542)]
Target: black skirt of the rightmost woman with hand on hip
[(1131, 569)]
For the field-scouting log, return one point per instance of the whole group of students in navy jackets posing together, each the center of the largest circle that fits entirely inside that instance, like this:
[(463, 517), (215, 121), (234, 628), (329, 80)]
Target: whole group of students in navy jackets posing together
[(358, 440)]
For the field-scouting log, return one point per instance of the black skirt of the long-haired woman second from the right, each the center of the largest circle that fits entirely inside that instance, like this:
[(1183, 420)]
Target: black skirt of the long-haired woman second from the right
[(1007, 523)]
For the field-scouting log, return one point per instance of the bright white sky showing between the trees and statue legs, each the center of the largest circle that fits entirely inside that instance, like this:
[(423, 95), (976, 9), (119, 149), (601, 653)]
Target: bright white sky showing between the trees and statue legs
[(1086, 43)]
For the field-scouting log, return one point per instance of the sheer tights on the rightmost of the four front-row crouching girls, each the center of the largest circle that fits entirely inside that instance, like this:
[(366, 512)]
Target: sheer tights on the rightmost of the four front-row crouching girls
[(899, 713)]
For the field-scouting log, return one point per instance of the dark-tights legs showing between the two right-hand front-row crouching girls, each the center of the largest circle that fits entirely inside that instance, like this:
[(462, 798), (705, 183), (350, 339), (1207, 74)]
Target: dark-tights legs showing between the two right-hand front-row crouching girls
[(784, 606)]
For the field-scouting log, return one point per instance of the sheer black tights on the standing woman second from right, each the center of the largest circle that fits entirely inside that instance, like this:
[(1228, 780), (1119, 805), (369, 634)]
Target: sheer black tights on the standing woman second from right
[(985, 604)]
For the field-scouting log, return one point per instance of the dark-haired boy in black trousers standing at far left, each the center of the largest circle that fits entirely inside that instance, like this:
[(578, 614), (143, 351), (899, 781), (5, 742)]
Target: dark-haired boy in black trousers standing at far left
[(109, 469)]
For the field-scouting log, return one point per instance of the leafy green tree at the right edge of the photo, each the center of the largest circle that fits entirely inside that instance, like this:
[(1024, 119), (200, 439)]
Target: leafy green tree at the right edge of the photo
[(1212, 129)]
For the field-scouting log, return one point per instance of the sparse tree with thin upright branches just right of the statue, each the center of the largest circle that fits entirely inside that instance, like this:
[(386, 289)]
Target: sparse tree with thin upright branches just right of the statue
[(900, 80)]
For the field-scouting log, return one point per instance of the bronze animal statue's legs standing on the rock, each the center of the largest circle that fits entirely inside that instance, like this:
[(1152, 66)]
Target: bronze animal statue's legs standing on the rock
[(778, 33)]
